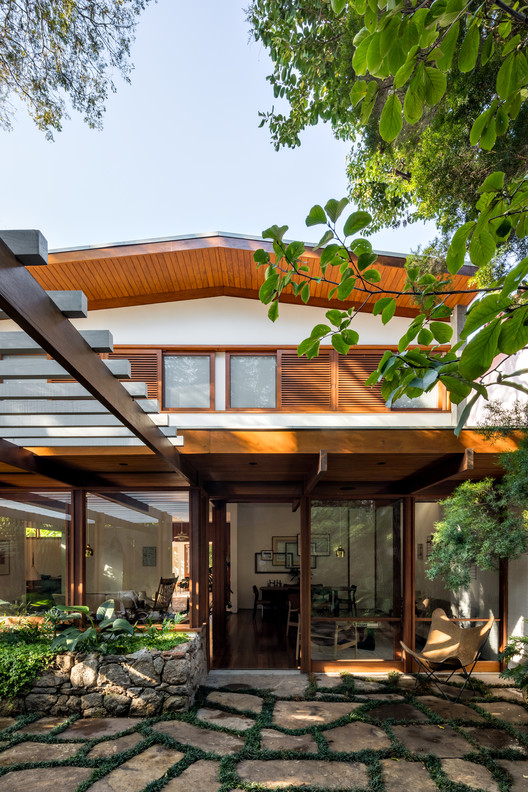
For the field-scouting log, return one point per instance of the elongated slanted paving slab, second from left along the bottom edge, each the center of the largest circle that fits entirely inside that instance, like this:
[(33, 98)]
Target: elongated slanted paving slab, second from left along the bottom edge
[(134, 775)]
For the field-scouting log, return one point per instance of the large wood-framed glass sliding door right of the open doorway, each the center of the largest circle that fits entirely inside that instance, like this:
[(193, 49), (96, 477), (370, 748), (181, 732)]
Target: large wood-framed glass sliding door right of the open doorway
[(356, 586)]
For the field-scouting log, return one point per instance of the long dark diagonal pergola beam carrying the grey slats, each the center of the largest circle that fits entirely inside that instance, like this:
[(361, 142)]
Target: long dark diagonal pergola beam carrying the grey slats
[(24, 301)]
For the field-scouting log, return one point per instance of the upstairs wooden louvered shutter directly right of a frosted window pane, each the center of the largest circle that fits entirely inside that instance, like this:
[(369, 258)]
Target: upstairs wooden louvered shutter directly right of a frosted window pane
[(305, 384)]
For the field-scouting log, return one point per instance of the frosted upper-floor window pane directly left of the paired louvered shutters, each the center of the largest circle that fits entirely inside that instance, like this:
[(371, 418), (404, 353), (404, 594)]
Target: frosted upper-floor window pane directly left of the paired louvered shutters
[(253, 381)]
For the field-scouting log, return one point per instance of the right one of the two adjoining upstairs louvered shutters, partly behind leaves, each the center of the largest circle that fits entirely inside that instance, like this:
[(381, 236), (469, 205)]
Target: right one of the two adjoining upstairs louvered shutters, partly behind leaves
[(352, 393)]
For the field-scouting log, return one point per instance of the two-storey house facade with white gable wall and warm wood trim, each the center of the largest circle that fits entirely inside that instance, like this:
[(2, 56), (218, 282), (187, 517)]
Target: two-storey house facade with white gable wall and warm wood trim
[(292, 477)]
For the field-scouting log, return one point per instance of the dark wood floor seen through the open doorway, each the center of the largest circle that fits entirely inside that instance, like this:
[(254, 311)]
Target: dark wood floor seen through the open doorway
[(256, 642)]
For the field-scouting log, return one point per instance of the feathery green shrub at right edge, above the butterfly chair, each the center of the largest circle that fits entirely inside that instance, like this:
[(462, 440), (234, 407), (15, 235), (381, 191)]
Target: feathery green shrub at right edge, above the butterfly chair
[(484, 521)]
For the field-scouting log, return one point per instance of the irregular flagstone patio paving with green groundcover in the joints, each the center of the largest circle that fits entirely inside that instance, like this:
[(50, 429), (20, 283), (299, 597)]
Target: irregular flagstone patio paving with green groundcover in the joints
[(283, 731)]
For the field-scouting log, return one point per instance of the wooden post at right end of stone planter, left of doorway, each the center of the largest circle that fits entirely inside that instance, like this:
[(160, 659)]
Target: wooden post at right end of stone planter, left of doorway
[(199, 561)]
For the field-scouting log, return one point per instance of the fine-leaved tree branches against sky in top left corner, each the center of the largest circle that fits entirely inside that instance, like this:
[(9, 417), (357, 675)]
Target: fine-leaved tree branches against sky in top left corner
[(51, 50)]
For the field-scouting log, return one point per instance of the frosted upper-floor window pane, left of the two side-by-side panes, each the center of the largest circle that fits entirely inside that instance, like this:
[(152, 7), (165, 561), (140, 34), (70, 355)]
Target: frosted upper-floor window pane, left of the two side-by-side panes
[(187, 381)]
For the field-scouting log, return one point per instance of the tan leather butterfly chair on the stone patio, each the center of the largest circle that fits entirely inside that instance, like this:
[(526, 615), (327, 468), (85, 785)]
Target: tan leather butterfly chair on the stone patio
[(449, 648)]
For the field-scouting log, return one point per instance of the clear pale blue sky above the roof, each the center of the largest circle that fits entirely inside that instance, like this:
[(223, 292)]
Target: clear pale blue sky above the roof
[(181, 152)]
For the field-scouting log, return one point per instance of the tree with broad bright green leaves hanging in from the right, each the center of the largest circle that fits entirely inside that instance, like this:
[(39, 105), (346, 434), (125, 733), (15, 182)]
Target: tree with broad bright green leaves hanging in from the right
[(403, 64)]
